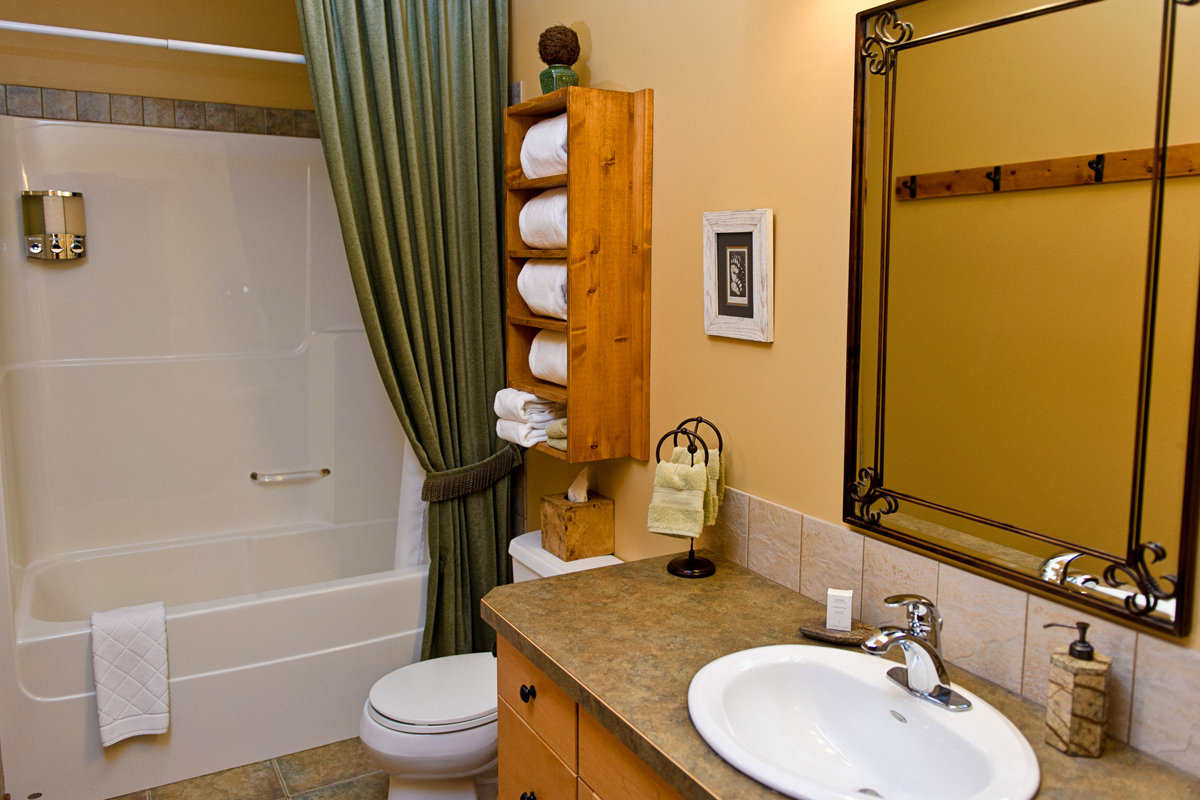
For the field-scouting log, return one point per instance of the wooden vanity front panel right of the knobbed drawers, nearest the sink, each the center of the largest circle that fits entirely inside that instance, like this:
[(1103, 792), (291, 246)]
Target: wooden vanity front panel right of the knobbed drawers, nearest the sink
[(614, 772)]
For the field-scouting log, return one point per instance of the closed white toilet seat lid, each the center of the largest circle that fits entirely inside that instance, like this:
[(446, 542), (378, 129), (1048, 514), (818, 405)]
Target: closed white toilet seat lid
[(440, 691)]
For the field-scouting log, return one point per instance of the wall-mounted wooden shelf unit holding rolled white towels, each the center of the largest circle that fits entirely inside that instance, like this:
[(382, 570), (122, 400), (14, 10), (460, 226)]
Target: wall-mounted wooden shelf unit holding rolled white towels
[(610, 145)]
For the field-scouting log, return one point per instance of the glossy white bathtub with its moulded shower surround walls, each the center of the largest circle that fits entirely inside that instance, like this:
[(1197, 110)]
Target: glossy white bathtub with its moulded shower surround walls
[(139, 392)]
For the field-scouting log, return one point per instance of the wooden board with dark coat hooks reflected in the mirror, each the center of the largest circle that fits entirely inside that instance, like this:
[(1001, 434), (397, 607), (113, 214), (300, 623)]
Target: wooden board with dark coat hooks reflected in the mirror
[(1183, 160)]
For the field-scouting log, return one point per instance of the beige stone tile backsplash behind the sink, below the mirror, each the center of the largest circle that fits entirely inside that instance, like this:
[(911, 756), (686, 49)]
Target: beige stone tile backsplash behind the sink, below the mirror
[(991, 629)]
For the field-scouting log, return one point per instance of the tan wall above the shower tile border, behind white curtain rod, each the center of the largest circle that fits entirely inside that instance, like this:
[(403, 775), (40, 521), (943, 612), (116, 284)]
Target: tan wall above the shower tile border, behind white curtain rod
[(58, 63)]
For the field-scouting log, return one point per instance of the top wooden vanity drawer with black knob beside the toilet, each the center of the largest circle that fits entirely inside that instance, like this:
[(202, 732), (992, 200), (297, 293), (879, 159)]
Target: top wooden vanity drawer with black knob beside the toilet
[(550, 711)]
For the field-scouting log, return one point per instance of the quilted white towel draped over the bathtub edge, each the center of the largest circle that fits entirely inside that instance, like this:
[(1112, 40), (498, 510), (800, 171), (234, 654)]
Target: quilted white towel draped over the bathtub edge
[(129, 655)]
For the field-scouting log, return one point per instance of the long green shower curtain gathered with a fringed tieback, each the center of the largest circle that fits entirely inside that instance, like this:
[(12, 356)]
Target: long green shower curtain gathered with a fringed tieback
[(410, 98)]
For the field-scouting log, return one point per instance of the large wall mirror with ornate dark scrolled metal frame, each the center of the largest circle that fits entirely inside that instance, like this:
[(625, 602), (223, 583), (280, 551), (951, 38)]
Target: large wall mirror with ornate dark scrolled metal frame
[(1022, 372)]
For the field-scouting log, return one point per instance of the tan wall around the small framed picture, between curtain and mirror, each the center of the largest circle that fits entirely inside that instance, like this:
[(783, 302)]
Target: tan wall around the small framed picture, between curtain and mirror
[(753, 110)]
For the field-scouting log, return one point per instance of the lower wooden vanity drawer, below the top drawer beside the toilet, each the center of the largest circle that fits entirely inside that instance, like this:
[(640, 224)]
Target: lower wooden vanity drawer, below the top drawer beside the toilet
[(527, 765)]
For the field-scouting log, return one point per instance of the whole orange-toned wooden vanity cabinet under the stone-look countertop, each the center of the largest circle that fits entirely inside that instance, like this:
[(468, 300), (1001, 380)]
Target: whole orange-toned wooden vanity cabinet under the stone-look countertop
[(553, 750)]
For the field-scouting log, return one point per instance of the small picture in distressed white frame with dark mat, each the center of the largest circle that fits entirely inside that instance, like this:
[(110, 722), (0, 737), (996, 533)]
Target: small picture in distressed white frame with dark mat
[(740, 268)]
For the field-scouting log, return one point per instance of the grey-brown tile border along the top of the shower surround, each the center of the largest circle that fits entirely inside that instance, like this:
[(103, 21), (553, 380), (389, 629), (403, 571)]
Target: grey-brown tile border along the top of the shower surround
[(67, 105)]
